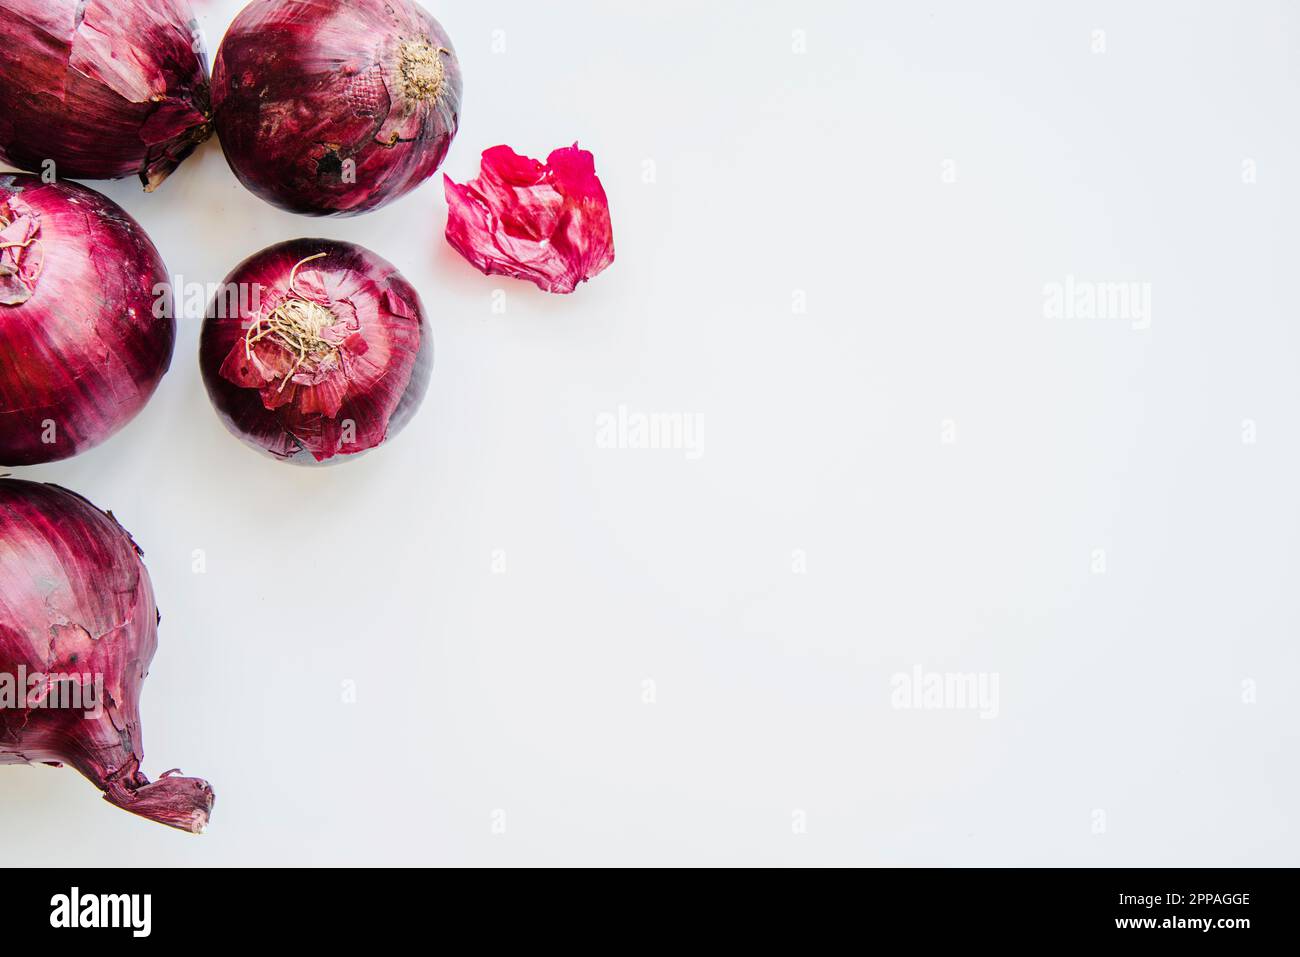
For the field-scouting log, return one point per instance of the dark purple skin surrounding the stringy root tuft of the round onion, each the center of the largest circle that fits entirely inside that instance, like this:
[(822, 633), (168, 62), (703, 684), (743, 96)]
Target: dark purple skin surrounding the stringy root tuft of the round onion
[(379, 409)]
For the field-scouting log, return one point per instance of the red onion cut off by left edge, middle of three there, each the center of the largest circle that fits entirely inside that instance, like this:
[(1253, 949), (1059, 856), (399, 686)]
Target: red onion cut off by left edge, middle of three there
[(86, 328)]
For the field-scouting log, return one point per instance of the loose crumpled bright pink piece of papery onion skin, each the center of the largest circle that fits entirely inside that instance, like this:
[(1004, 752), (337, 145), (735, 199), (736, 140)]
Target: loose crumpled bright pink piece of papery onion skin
[(548, 224)]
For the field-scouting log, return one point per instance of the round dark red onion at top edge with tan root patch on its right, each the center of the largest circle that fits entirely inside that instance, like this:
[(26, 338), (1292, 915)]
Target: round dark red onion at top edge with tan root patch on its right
[(336, 107)]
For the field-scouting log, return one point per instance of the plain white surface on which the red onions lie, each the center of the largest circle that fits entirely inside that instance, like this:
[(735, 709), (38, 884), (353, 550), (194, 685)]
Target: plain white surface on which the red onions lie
[(1125, 731)]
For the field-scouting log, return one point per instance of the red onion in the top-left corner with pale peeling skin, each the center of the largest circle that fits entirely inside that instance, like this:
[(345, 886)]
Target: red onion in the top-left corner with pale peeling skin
[(105, 89)]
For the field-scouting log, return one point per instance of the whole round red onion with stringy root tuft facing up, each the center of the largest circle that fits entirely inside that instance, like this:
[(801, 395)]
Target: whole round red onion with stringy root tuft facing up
[(317, 349)]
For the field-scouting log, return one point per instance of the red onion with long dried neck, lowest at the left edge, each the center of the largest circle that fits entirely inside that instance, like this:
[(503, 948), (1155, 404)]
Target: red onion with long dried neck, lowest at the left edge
[(79, 629)]
